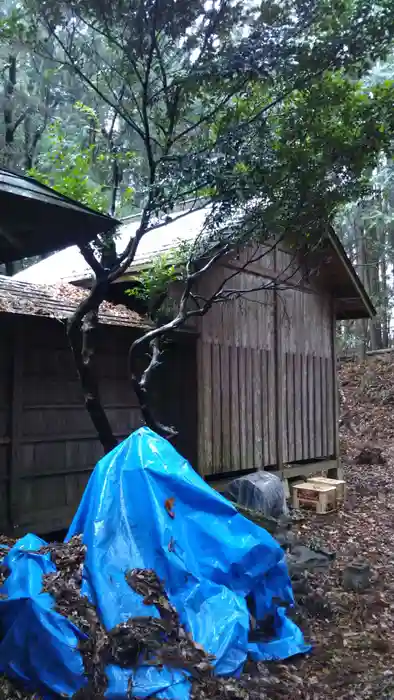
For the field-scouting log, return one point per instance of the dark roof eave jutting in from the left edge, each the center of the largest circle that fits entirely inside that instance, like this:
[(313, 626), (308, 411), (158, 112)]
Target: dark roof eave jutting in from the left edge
[(36, 219)]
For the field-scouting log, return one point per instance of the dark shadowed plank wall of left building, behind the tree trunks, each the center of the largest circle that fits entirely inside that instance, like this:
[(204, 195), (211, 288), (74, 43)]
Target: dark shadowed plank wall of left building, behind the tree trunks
[(51, 447)]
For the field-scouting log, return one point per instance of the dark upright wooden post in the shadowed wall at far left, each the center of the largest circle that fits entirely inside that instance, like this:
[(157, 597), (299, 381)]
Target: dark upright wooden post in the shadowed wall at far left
[(16, 420)]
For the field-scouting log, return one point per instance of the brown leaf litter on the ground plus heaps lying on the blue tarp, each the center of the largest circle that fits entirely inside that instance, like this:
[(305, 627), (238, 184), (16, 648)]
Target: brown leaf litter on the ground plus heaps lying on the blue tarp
[(352, 633)]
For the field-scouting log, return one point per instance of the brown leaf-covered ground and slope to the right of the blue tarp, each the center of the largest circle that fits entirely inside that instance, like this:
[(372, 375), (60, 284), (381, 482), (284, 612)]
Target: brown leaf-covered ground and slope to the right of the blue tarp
[(352, 634)]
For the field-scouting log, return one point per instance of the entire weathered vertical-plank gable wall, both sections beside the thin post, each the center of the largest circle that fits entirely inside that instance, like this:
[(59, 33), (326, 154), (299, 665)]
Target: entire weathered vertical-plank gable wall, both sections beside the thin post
[(238, 384)]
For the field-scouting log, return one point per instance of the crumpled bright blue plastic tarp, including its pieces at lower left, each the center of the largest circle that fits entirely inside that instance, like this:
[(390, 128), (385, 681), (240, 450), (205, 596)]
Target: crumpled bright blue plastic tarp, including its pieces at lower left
[(209, 557)]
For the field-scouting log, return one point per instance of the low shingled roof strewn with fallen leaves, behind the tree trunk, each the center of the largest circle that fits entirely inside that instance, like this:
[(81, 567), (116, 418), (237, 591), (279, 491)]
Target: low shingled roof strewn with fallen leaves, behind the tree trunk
[(58, 302)]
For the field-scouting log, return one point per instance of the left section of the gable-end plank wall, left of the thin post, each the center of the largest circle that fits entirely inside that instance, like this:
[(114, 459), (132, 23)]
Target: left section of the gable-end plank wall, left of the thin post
[(236, 380)]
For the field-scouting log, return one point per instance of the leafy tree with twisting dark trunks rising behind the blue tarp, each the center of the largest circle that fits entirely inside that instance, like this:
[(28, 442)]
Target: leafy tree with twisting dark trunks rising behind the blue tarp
[(256, 108)]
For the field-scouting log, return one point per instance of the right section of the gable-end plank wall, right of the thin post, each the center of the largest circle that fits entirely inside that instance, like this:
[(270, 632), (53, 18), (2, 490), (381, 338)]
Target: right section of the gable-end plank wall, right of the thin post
[(307, 387)]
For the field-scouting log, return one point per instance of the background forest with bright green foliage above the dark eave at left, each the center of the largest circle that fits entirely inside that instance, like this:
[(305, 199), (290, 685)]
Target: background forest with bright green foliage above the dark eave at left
[(53, 130)]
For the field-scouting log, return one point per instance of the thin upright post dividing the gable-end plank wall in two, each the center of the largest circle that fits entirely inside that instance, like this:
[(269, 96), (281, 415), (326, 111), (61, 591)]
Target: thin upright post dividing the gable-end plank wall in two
[(278, 354)]
